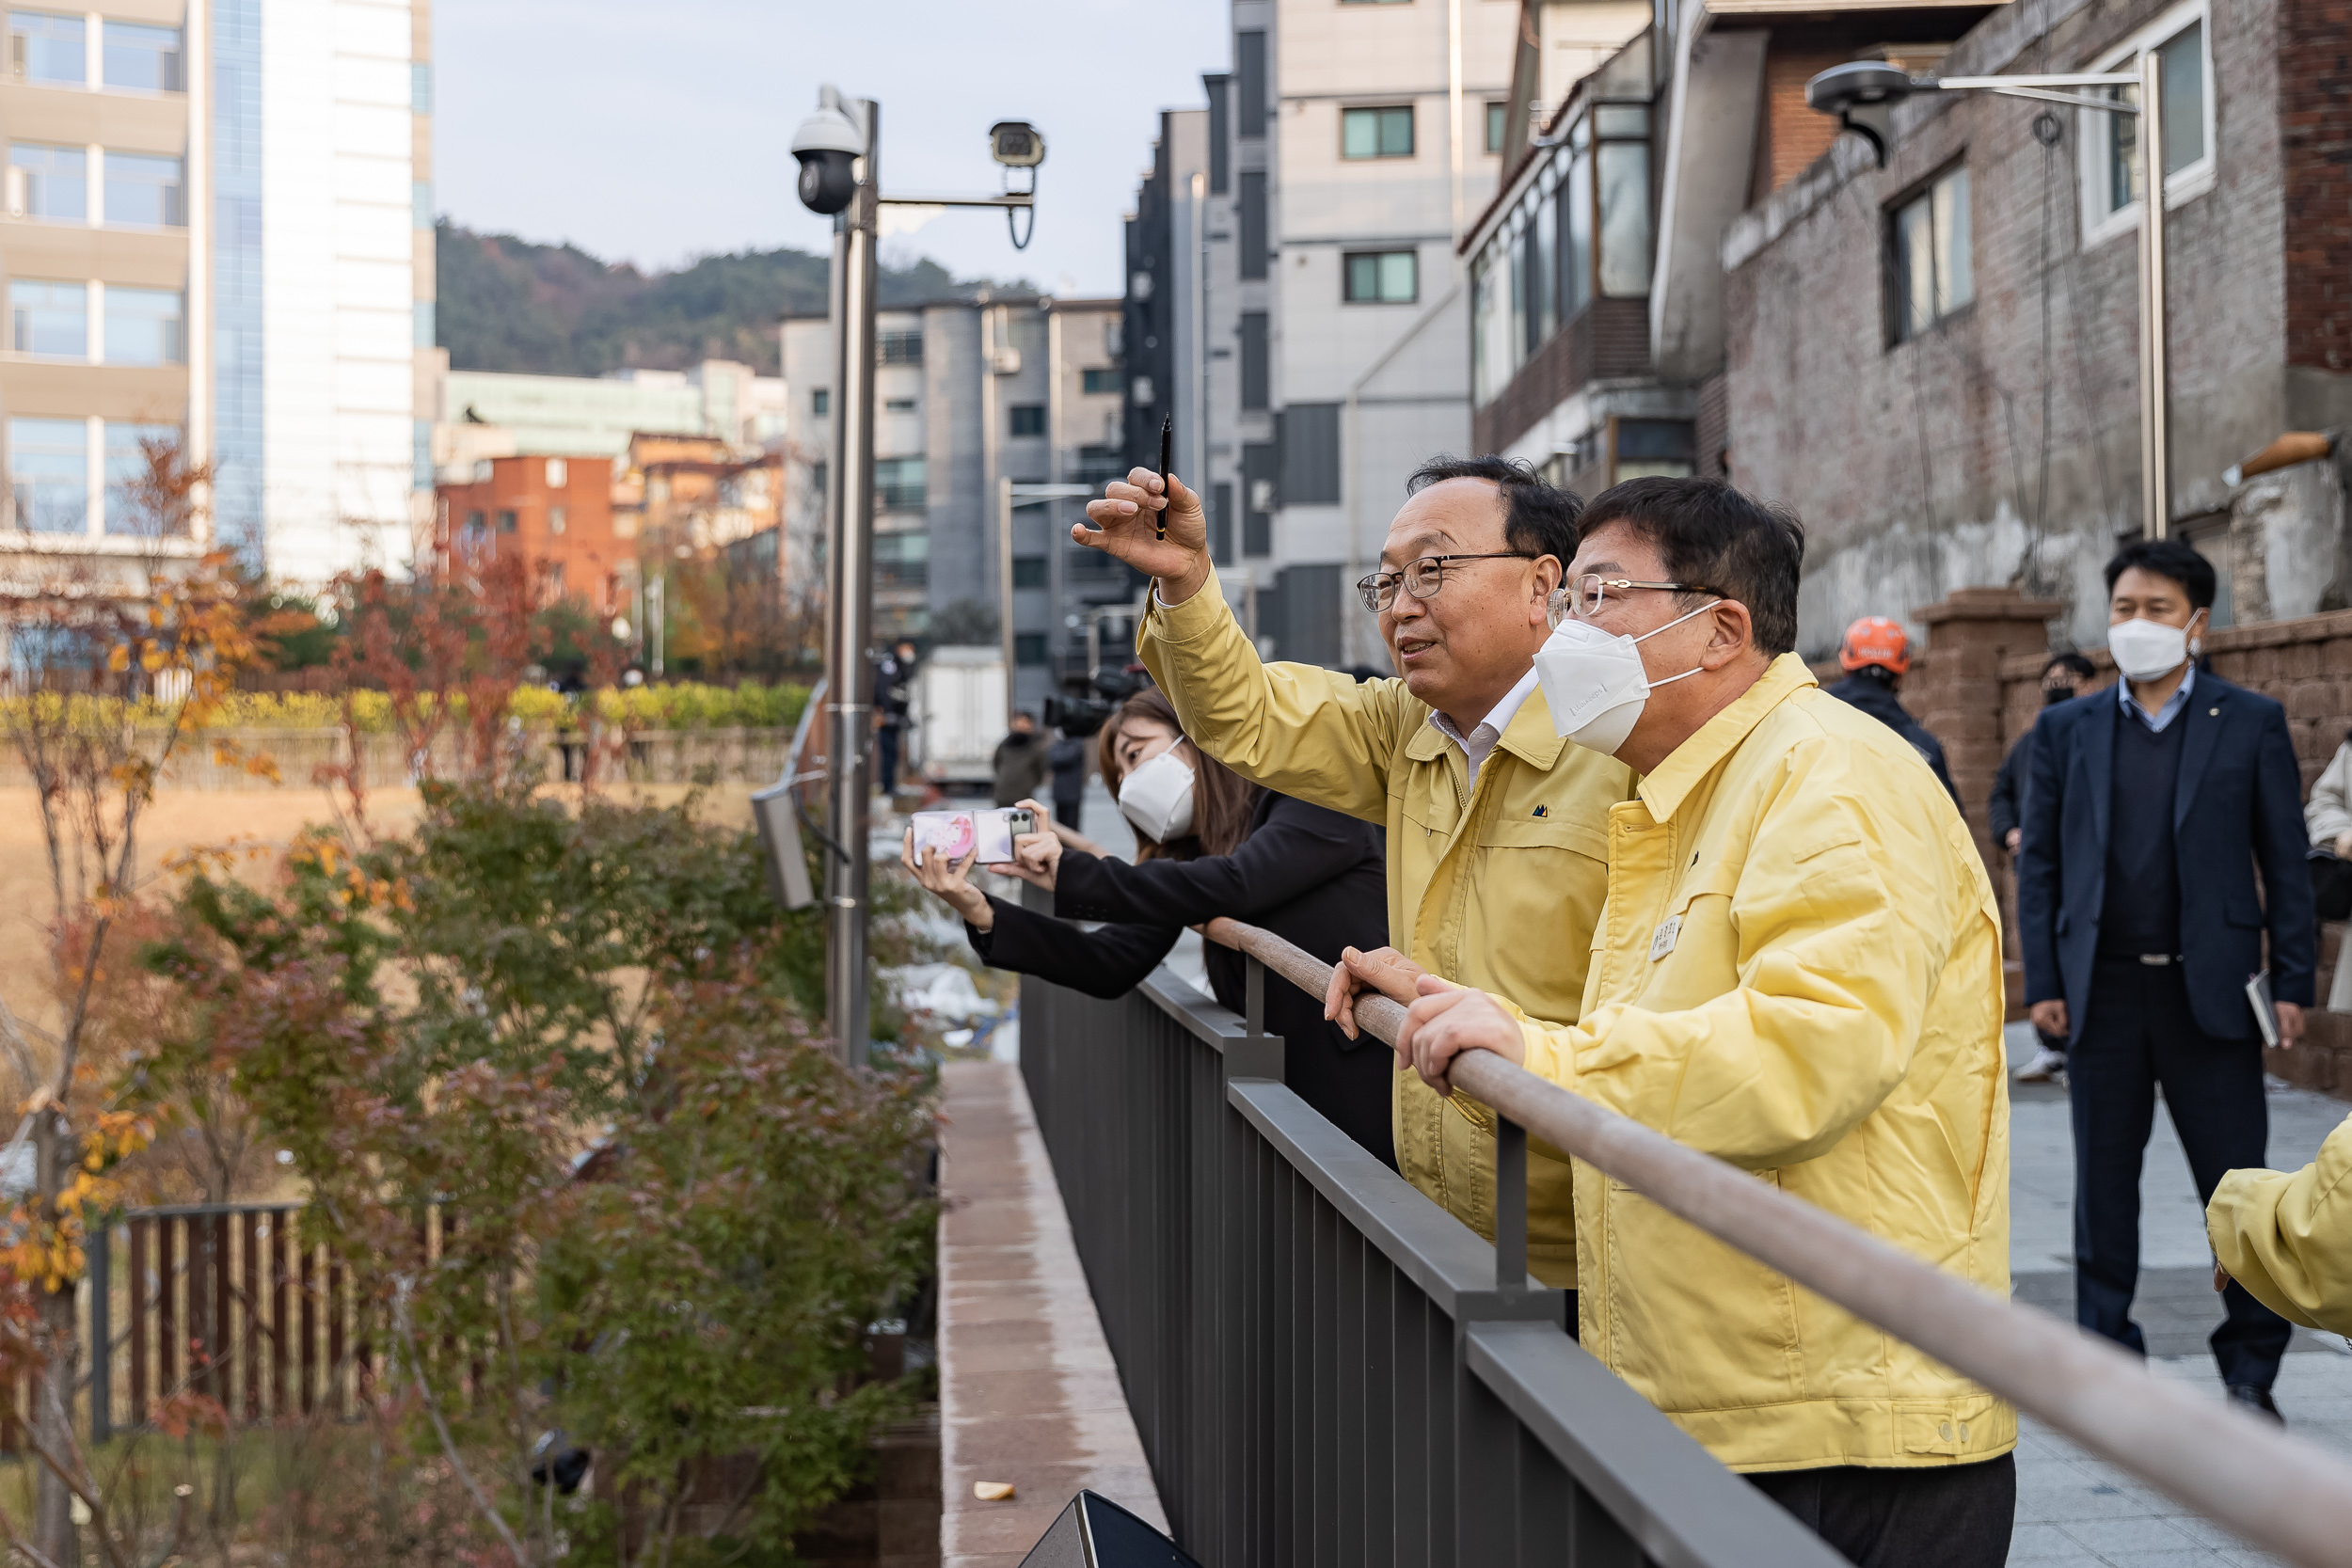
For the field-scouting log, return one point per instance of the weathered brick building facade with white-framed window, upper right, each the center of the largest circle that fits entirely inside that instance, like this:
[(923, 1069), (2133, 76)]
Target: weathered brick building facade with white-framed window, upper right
[(2000, 445)]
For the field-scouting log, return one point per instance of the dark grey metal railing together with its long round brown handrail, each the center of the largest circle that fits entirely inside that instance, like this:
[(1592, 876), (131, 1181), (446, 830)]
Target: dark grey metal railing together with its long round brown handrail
[(1330, 1369)]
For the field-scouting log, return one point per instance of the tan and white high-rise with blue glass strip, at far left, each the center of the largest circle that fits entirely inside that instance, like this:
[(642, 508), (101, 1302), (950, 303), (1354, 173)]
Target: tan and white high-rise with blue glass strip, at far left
[(218, 232)]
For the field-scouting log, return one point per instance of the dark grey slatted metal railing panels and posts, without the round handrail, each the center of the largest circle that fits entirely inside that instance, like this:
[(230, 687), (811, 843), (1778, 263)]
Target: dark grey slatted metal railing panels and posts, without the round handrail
[(1328, 1369)]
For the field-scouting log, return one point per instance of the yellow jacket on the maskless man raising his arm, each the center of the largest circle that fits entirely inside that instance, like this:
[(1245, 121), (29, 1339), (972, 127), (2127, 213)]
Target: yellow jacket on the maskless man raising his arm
[(1497, 887)]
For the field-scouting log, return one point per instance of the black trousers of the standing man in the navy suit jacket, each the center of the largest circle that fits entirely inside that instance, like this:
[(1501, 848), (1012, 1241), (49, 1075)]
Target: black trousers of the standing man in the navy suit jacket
[(2139, 1036)]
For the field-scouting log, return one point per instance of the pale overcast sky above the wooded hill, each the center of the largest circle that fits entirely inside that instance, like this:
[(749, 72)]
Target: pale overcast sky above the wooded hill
[(657, 133)]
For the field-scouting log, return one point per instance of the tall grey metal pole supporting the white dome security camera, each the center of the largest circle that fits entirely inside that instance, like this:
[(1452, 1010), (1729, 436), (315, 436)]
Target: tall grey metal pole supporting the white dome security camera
[(850, 594)]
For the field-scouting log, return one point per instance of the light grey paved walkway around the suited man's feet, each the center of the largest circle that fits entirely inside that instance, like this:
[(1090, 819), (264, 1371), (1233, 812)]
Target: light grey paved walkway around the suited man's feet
[(2073, 1510)]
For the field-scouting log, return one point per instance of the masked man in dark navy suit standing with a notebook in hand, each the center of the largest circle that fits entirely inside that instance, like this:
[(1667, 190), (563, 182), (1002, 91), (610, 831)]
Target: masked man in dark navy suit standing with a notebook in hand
[(2149, 815)]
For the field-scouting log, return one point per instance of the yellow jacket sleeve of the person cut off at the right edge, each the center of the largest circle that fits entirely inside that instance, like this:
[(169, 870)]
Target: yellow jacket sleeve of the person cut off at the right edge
[(2287, 1238)]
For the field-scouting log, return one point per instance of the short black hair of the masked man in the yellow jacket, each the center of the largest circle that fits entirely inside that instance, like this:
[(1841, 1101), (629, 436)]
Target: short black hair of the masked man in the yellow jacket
[(1723, 540)]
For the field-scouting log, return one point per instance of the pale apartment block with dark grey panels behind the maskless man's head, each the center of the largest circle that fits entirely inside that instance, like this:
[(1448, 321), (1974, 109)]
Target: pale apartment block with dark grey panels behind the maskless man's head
[(1342, 161)]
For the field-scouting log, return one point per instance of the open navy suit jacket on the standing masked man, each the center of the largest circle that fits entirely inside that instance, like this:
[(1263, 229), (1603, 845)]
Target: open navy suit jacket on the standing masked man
[(2238, 808)]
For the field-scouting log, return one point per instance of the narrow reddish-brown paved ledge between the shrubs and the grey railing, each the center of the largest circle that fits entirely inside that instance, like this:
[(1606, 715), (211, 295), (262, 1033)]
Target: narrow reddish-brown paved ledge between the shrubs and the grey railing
[(1029, 1393)]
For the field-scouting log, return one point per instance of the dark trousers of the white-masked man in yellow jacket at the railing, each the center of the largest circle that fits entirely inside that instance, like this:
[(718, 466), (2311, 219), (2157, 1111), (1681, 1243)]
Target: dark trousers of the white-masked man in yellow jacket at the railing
[(1937, 1517)]
